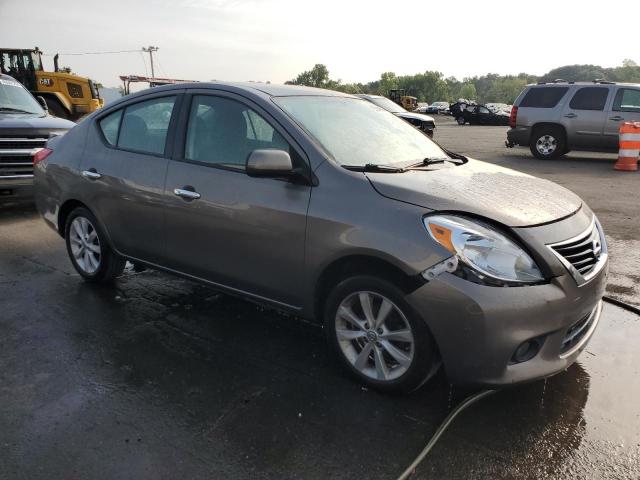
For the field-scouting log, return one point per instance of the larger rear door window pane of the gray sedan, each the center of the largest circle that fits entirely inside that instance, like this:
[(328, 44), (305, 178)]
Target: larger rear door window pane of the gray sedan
[(145, 125)]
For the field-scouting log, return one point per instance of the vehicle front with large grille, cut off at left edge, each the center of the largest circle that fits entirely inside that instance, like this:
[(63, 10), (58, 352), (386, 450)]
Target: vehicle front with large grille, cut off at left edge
[(25, 127)]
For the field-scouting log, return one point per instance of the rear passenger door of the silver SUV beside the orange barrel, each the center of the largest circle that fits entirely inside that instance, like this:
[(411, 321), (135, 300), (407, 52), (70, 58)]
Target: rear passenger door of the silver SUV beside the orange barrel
[(584, 116)]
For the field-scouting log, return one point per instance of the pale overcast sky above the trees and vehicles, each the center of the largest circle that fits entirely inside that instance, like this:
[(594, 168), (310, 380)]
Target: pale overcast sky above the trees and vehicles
[(239, 40)]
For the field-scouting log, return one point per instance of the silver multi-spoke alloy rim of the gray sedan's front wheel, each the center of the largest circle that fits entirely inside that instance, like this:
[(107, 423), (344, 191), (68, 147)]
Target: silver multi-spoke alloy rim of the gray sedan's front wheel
[(374, 335)]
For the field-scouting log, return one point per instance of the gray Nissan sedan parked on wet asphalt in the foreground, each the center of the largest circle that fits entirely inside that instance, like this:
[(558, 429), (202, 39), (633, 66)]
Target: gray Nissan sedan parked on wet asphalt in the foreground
[(331, 208)]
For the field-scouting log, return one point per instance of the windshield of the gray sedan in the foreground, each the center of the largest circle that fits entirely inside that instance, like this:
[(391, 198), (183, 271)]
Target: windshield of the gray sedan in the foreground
[(356, 132)]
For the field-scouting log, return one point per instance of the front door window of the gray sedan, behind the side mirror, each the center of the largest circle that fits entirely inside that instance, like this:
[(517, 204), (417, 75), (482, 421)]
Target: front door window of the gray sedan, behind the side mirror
[(225, 132)]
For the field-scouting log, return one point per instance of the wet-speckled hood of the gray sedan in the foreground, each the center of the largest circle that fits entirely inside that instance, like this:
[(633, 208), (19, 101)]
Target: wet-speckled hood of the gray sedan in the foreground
[(512, 198)]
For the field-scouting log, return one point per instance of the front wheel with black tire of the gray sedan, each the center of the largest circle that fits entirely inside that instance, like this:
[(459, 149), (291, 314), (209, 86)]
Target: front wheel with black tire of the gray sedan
[(383, 358)]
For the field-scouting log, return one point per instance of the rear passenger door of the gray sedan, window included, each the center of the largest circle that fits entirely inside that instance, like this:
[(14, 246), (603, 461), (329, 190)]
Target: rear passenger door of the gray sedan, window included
[(126, 180)]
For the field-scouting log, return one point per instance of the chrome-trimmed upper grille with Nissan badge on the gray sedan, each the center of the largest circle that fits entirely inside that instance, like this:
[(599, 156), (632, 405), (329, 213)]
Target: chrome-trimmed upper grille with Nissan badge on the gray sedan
[(584, 254)]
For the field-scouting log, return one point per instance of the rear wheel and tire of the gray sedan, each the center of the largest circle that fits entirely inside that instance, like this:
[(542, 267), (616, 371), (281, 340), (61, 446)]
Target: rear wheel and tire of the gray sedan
[(83, 236)]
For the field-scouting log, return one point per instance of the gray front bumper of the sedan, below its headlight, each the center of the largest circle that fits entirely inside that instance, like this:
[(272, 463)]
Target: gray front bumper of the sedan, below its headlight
[(479, 328)]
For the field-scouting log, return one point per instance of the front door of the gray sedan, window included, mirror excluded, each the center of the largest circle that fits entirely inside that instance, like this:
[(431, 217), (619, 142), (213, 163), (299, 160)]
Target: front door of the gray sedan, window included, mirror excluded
[(241, 232)]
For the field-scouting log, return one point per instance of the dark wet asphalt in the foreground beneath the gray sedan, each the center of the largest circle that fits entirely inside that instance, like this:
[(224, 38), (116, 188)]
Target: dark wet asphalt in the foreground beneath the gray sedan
[(158, 377)]
